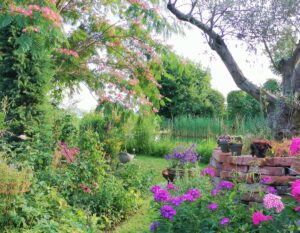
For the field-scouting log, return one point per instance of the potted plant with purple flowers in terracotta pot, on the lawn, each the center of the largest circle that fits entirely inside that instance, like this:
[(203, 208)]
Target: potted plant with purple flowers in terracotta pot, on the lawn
[(178, 160)]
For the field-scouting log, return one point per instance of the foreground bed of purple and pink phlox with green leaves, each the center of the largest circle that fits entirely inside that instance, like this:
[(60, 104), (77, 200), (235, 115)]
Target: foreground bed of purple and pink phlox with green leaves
[(219, 208)]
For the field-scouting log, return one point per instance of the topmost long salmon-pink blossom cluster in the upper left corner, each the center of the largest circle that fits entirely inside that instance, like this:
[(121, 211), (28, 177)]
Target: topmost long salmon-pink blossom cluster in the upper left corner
[(46, 12)]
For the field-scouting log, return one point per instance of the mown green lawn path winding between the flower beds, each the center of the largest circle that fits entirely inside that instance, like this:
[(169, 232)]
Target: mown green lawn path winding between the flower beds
[(141, 220)]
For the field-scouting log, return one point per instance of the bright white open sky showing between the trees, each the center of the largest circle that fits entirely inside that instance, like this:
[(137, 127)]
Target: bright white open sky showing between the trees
[(193, 46)]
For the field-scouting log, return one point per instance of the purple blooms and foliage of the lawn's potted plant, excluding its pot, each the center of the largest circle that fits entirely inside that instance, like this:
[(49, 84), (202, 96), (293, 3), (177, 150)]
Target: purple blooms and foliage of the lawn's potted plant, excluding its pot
[(182, 158)]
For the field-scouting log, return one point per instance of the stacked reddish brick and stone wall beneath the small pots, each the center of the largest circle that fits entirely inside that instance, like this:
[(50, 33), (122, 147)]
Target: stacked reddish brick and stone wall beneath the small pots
[(246, 168)]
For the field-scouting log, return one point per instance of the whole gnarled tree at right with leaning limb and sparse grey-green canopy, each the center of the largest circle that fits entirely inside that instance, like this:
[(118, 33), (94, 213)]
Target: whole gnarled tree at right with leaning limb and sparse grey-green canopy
[(272, 24)]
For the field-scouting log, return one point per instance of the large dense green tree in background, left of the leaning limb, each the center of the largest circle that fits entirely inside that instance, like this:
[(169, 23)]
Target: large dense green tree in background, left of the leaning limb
[(186, 87)]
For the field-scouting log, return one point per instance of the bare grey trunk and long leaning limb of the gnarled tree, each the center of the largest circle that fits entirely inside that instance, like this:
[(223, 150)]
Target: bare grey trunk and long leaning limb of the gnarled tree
[(283, 111)]
